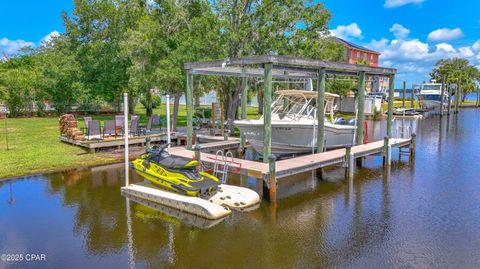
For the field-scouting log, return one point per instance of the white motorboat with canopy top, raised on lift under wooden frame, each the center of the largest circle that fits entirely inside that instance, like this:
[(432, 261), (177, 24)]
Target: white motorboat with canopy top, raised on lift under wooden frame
[(294, 124)]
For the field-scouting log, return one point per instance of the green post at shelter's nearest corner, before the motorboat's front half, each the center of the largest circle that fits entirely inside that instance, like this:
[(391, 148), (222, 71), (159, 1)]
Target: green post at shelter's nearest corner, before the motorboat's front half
[(267, 112)]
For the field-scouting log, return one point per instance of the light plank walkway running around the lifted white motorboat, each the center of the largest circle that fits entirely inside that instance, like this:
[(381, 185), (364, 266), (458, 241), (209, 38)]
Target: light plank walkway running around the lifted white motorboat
[(288, 167)]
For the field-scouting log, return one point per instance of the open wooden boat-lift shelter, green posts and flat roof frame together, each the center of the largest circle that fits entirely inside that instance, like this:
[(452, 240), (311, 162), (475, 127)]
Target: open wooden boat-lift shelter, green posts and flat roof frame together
[(268, 67)]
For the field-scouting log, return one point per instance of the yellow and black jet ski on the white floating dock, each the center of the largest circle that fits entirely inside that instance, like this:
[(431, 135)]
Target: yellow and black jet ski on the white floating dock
[(174, 173)]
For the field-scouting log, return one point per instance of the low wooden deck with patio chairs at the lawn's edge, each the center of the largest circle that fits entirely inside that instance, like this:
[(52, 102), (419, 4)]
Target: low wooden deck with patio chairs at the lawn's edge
[(93, 145)]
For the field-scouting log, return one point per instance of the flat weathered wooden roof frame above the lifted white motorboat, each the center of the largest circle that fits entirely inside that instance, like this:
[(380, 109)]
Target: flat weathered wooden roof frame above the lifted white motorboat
[(286, 67)]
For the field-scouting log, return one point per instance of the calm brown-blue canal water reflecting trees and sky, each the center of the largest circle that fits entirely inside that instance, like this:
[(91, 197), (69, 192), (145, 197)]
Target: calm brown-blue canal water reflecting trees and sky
[(424, 214)]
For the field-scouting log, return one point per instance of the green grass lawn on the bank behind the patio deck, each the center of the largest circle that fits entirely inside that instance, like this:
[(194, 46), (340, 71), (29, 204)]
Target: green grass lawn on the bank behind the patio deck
[(35, 147)]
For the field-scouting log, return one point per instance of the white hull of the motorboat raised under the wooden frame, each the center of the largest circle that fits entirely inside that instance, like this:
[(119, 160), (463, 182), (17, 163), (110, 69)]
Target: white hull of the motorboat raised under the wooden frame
[(292, 137)]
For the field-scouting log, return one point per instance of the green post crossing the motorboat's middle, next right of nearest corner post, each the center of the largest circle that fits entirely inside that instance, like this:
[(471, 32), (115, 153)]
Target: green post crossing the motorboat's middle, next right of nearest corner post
[(321, 109)]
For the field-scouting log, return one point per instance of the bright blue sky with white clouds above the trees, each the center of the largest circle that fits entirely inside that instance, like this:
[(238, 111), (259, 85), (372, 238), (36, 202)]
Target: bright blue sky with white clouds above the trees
[(411, 34)]
